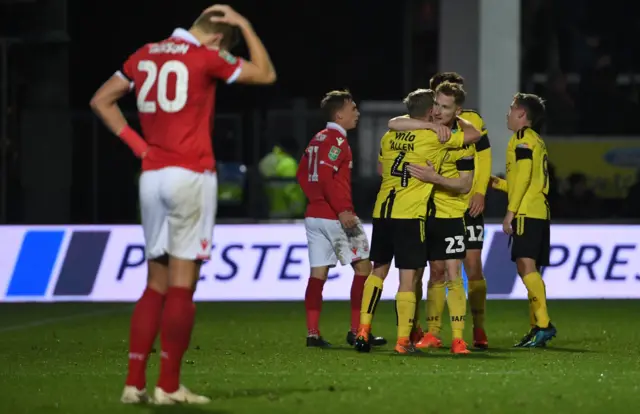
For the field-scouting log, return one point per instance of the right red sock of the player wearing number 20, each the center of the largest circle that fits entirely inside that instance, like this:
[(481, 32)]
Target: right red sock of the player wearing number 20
[(177, 323)]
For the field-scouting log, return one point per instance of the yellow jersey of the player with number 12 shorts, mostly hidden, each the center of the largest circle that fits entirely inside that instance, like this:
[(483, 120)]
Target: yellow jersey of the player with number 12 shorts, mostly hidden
[(482, 155)]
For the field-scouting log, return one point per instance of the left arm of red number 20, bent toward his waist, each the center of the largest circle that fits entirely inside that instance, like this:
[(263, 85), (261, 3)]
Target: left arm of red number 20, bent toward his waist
[(105, 104)]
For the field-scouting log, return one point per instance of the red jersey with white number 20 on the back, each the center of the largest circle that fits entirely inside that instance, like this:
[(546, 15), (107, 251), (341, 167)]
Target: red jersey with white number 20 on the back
[(175, 83)]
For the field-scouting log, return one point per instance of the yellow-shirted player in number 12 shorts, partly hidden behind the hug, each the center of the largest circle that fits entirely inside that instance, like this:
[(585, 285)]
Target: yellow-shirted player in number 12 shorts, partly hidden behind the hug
[(474, 219)]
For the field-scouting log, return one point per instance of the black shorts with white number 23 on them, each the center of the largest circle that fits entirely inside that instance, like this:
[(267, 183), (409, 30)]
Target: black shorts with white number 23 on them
[(445, 238)]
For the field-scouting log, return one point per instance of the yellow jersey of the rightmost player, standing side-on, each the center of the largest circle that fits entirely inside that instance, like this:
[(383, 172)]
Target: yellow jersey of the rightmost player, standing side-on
[(528, 175)]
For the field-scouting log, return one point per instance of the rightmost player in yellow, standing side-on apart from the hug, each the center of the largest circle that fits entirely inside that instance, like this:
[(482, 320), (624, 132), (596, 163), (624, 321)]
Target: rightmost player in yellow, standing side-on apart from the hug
[(528, 216)]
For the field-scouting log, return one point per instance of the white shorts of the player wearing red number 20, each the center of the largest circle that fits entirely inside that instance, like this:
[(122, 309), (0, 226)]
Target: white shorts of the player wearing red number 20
[(178, 208)]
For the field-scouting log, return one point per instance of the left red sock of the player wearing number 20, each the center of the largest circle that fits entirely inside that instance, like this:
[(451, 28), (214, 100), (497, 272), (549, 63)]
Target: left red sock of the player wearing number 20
[(145, 323)]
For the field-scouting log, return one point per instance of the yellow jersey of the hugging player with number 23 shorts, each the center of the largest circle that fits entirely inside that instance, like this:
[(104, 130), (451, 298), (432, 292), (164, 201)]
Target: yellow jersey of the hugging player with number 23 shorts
[(449, 204)]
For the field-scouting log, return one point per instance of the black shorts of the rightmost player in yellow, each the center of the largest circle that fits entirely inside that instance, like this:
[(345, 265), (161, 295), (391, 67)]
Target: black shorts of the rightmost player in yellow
[(531, 239)]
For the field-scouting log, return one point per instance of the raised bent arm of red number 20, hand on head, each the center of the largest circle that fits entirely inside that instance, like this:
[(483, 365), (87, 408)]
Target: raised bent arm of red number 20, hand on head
[(259, 69)]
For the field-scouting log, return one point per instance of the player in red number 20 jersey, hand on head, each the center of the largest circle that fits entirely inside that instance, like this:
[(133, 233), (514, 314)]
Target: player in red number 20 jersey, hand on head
[(175, 81)]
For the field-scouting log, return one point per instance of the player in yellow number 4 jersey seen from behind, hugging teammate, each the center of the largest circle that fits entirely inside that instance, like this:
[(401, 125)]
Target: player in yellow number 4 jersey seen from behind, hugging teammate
[(399, 217)]
